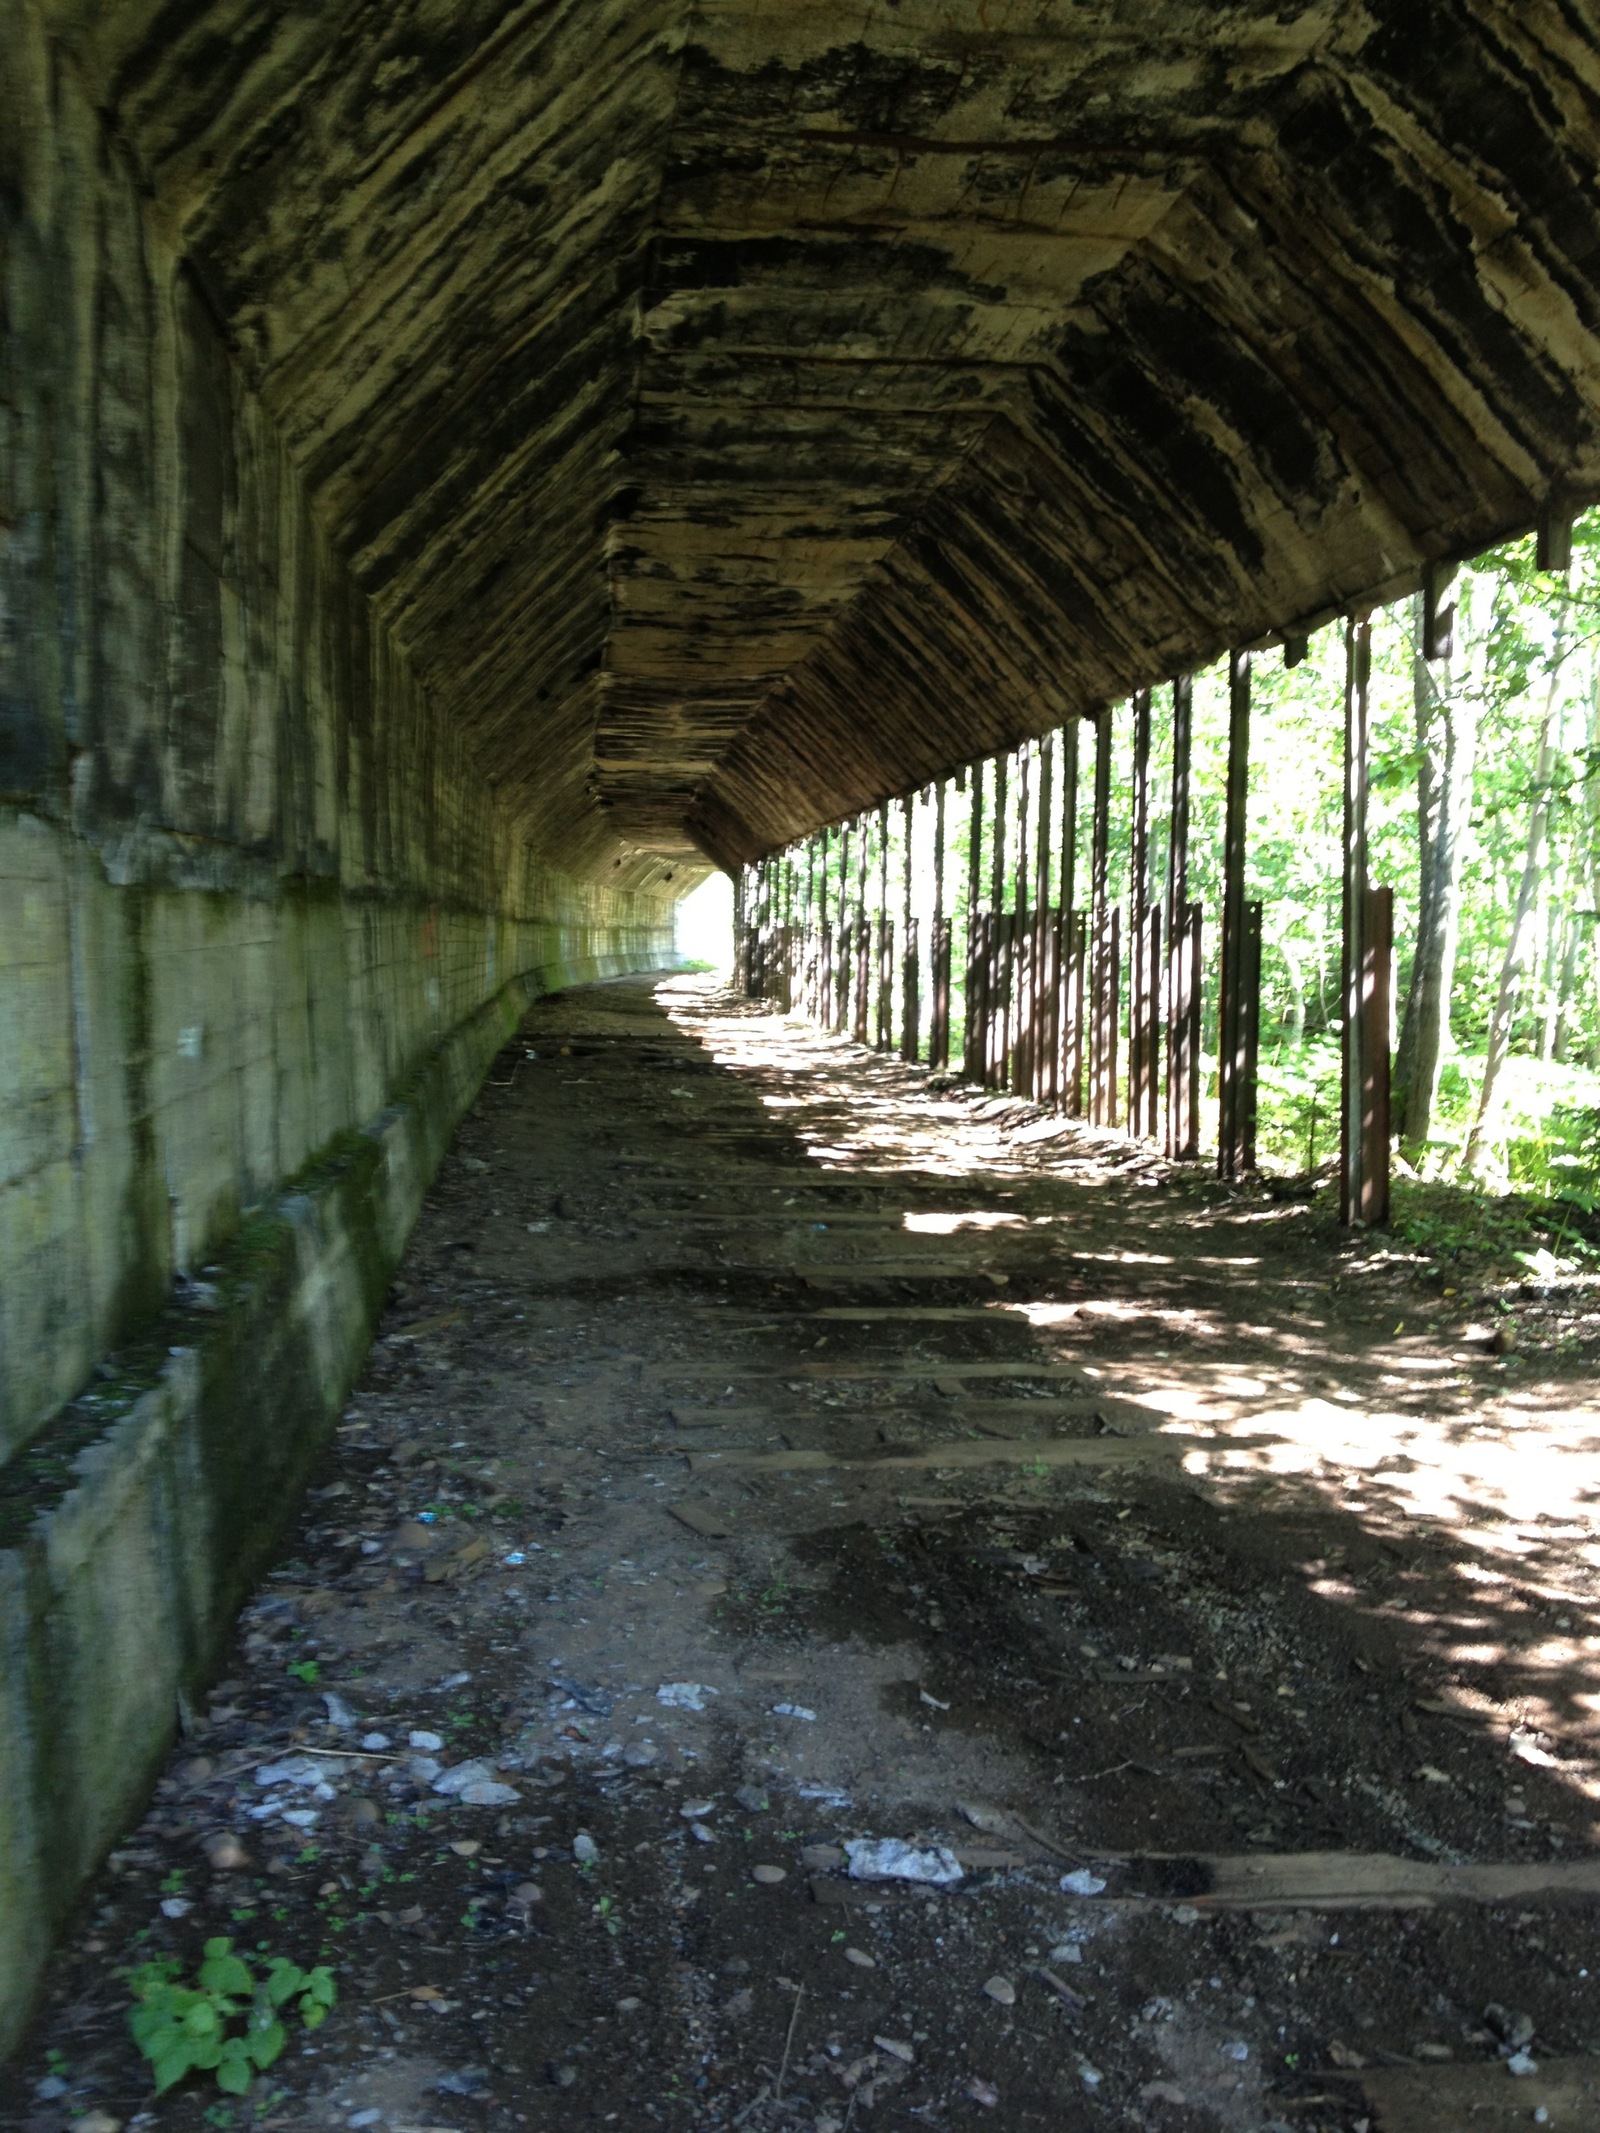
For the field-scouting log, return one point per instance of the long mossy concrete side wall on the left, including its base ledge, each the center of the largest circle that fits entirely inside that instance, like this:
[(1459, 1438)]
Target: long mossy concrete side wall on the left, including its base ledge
[(263, 923)]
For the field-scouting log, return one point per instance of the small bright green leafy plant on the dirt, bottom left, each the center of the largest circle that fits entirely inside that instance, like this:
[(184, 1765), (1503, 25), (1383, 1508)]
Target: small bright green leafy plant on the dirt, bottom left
[(191, 2030)]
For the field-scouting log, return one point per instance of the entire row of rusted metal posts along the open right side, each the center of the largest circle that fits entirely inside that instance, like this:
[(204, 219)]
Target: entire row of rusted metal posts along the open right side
[(1044, 980)]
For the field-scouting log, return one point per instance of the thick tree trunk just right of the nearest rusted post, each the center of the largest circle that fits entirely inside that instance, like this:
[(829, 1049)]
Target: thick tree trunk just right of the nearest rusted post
[(1447, 741)]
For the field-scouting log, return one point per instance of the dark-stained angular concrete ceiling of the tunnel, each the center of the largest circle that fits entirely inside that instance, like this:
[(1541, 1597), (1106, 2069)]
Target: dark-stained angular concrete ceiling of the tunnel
[(746, 411)]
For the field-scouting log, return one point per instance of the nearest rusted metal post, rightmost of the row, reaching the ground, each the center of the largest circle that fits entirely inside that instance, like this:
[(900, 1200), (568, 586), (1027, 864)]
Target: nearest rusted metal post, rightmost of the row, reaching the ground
[(1369, 929)]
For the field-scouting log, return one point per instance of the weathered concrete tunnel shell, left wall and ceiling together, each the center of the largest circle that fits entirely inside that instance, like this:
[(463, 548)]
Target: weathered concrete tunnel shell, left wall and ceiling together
[(470, 470)]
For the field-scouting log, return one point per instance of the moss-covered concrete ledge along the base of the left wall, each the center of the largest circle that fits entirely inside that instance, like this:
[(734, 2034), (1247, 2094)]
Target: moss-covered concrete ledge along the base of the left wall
[(140, 1545)]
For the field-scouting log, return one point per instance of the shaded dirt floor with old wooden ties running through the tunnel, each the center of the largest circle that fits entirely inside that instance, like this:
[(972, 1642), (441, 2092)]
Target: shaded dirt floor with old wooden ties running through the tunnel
[(763, 1456)]
